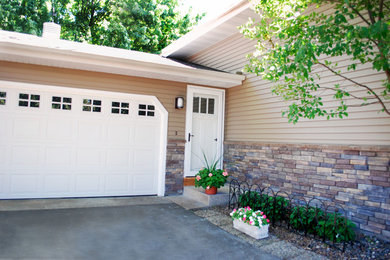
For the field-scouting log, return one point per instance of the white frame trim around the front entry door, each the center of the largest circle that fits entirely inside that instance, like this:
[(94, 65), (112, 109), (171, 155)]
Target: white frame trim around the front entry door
[(191, 89)]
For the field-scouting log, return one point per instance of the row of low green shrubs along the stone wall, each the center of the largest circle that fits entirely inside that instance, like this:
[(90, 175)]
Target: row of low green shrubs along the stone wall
[(309, 219)]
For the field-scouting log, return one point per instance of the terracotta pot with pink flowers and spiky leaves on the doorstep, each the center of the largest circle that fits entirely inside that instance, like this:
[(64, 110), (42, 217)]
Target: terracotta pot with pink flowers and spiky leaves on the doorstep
[(210, 178)]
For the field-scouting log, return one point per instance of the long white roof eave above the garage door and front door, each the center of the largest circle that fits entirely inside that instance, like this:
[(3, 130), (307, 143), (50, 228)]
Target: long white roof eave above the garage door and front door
[(24, 53)]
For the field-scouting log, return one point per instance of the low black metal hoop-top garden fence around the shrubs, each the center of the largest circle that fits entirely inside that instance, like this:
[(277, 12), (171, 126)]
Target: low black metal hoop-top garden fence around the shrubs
[(319, 218)]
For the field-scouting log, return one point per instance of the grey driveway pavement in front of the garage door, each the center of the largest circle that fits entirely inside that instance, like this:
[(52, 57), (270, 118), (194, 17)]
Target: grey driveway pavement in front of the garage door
[(148, 231)]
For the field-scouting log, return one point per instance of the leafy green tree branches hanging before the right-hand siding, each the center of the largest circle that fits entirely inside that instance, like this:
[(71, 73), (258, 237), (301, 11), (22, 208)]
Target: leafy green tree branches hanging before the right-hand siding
[(295, 42)]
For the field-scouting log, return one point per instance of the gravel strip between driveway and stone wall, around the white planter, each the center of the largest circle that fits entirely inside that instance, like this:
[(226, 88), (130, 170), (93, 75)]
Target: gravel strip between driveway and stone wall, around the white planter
[(300, 247)]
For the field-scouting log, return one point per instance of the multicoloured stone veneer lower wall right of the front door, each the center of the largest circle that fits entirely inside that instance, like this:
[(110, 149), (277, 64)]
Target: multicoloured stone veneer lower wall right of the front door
[(358, 177)]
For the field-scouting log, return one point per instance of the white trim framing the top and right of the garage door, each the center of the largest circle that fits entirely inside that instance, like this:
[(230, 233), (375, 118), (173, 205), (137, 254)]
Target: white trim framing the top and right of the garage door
[(163, 131)]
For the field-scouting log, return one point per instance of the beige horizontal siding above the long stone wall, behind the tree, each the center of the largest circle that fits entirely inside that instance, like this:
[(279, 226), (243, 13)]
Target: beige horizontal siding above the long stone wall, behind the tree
[(253, 113)]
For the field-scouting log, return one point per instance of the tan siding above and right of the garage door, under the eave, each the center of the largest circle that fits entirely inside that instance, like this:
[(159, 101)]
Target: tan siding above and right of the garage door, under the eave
[(165, 91)]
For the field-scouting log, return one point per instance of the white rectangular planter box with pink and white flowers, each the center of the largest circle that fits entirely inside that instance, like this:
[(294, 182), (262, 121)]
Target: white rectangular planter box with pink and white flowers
[(252, 223)]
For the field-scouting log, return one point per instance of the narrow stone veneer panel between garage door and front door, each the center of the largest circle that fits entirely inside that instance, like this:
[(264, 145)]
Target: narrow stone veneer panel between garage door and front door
[(174, 167)]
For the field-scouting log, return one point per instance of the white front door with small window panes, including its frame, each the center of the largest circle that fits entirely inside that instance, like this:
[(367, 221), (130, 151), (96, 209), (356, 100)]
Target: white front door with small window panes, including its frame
[(204, 128)]
